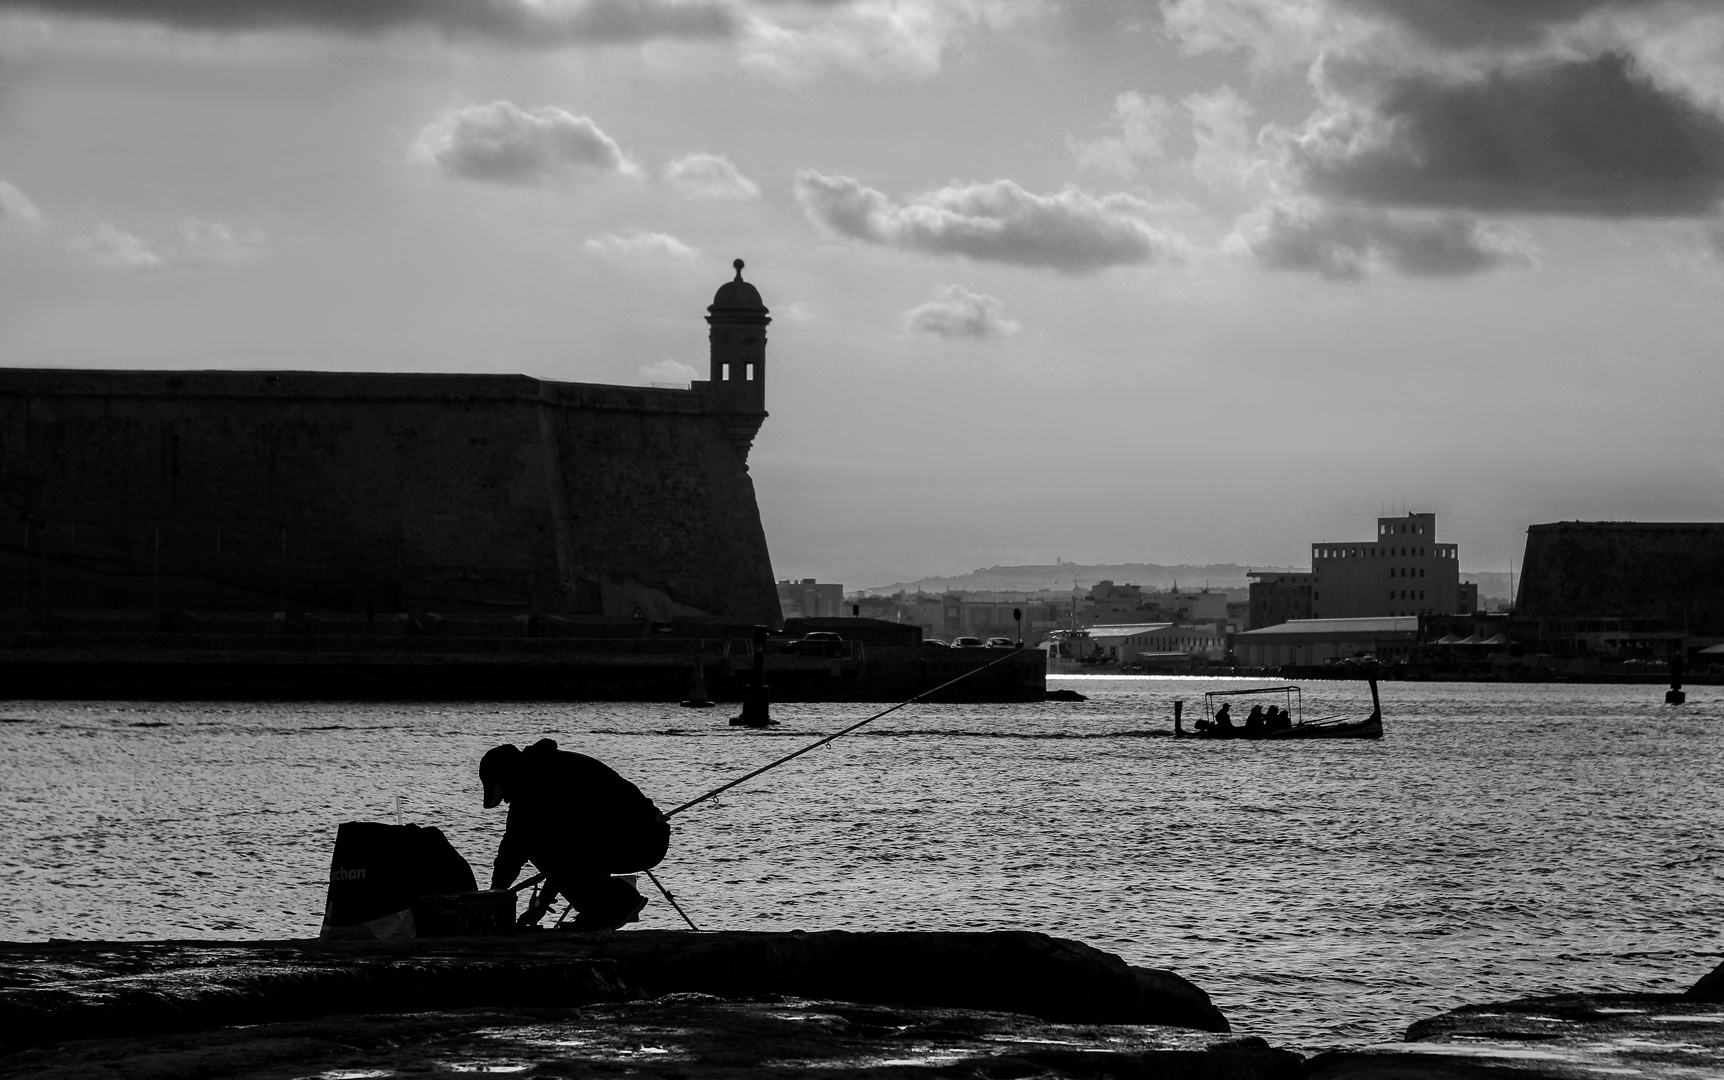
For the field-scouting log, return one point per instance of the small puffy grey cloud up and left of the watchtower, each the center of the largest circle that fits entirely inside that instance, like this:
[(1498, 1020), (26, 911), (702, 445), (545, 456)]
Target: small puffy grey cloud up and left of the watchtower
[(506, 144)]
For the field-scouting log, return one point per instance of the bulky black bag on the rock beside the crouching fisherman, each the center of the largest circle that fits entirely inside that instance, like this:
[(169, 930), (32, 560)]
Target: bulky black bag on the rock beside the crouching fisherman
[(380, 870)]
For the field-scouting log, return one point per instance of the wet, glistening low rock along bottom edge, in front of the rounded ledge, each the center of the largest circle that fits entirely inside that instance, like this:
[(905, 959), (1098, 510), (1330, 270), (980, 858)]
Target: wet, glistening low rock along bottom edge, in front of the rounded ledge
[(689, 1036)]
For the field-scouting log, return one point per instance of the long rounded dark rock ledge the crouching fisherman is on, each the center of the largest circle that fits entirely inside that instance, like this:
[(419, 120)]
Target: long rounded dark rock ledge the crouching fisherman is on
[(108, 989)]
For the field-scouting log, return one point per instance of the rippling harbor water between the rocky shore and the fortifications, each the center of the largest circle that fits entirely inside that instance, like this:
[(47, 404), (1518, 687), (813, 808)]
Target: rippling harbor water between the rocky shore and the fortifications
[(1501, 841)]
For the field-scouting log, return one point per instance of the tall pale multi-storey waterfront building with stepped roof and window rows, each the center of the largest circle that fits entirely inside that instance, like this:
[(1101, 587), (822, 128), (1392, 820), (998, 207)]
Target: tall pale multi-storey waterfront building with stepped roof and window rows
[(1404, 572)]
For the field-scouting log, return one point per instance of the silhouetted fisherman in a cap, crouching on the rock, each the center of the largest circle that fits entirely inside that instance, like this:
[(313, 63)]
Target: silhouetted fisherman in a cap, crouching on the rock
[(578, 822)]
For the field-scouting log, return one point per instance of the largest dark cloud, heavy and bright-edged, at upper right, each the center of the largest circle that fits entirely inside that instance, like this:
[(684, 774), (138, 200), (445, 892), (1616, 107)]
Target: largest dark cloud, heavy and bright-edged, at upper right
[(1582, 137)]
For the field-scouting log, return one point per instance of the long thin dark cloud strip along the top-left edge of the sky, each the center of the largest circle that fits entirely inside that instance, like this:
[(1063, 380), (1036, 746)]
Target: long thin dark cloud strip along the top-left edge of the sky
[(516, 22)]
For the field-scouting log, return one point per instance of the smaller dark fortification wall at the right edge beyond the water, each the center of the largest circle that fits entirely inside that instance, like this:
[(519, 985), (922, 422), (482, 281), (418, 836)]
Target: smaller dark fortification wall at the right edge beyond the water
[(1671, 574)]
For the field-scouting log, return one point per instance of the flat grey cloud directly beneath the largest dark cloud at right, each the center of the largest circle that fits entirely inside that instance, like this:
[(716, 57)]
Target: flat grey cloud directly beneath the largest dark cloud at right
[(1347, 244)]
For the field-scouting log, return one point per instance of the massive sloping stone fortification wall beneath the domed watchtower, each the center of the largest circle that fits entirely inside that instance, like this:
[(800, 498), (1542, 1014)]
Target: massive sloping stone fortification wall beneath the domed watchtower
[(387, 493)]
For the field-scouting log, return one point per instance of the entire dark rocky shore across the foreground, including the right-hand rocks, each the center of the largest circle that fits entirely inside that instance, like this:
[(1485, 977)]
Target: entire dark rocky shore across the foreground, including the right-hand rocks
[(761, 1005)]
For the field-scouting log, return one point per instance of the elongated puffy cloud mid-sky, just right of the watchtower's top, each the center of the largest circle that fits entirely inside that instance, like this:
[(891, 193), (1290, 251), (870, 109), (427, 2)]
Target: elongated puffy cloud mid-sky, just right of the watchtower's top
[(997, 222)]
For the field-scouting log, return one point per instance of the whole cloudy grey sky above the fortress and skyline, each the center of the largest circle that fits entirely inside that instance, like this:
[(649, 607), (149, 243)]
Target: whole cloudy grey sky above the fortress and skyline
[(1087, 280)]
